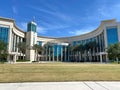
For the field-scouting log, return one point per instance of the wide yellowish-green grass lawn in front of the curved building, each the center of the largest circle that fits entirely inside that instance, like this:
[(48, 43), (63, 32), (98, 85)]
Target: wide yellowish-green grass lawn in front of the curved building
[(59, 72)]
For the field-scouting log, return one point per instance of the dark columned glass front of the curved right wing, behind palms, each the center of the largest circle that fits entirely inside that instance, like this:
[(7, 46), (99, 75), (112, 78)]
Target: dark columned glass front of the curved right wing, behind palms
[(91, 46)]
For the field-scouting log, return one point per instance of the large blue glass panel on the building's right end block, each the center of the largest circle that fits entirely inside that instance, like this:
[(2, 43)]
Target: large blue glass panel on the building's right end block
[(112, 35)]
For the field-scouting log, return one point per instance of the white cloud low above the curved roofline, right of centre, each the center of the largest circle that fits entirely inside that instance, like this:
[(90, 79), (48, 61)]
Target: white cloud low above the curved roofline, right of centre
[(82, 31)]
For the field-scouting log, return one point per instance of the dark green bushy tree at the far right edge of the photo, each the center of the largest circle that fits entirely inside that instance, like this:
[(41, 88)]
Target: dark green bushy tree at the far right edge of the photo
[(114, 52)]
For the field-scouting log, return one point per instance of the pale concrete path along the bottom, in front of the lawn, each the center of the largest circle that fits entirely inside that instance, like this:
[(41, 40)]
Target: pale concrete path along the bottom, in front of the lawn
[(61, 86)]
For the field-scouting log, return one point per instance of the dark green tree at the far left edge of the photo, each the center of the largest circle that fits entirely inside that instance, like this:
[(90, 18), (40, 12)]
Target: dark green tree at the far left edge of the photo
[(3, 51)]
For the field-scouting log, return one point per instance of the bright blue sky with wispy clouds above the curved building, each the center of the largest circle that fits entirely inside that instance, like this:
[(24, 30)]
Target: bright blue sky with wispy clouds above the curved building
[(61, 18)]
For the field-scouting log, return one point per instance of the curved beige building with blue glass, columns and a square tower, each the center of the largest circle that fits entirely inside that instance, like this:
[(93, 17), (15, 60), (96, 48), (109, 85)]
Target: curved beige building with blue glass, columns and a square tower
[(59, 49)]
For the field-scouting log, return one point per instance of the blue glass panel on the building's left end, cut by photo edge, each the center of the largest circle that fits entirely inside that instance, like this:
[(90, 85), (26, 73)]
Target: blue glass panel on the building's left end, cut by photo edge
[(4, 32)]
